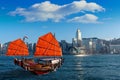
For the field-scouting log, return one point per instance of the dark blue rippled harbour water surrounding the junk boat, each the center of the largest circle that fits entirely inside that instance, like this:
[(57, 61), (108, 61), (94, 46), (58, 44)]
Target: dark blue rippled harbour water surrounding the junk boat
[(92, 67)]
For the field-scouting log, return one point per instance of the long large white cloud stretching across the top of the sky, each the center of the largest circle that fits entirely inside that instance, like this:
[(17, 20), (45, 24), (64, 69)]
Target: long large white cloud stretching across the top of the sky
[(47, 11)]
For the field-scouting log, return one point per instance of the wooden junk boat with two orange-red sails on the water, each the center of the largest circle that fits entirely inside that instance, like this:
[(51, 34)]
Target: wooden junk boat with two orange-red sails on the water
[(47, 57)]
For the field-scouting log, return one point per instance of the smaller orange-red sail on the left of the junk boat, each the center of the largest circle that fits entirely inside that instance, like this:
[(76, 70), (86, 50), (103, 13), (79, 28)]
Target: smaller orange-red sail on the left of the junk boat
[(17, 48)]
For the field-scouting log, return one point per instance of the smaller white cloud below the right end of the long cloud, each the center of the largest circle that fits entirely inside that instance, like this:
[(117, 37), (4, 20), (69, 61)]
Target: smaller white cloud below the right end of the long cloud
[(87, 18)]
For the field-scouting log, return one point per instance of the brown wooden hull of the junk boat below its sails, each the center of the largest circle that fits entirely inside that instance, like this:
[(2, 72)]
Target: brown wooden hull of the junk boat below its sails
[(37, 68)]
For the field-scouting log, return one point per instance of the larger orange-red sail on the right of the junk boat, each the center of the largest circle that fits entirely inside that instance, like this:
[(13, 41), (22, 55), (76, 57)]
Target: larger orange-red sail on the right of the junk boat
[(47, 45)]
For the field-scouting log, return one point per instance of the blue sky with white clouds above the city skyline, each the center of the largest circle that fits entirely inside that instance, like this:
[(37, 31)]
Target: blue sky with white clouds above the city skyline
[(34, 18)]
